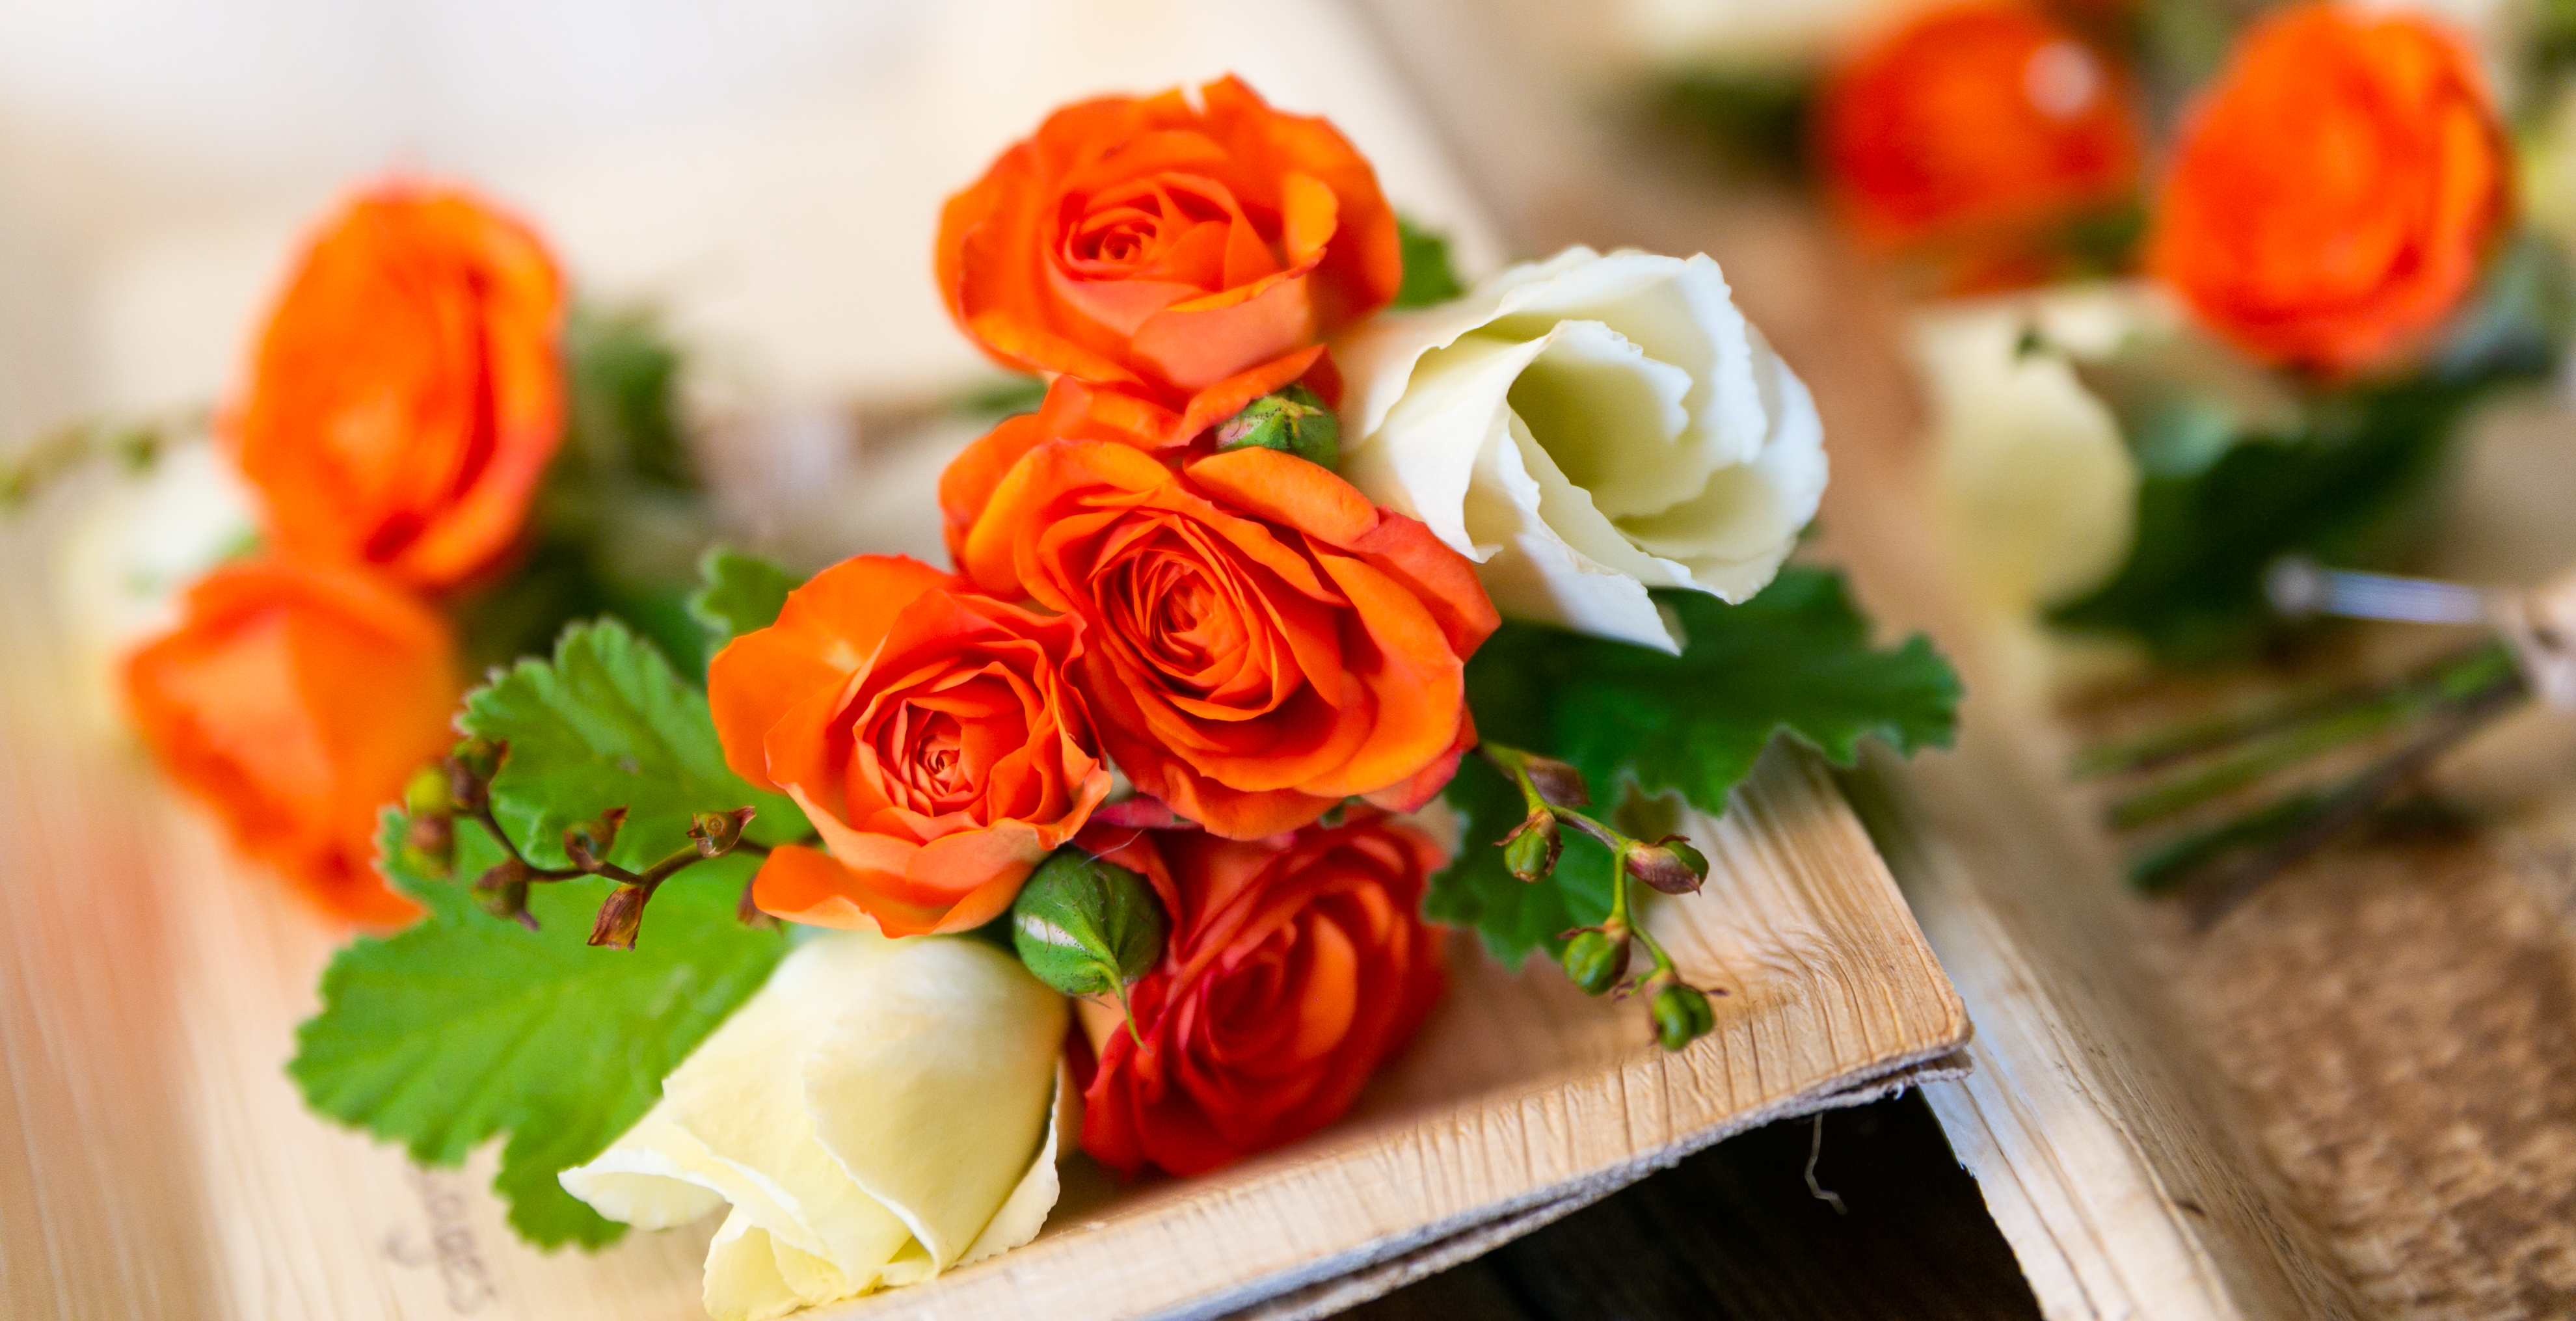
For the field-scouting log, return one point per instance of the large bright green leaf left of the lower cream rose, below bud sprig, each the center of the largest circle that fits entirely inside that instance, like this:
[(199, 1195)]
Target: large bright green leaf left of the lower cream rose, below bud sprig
[(468, 1026)]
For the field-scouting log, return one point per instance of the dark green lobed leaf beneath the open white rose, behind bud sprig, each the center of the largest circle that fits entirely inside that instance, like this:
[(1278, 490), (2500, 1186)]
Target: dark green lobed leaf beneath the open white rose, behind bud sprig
[(1792, 663)]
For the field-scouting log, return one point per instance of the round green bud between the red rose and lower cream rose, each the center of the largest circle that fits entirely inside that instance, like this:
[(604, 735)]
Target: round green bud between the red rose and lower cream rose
[(1086, 928)]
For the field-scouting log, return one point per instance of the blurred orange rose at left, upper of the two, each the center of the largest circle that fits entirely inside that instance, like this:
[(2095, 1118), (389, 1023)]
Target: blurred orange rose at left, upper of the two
[(408, 395)]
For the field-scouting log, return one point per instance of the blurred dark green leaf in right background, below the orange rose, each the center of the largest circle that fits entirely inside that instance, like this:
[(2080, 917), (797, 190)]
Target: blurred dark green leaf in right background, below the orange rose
[(2353, 488)]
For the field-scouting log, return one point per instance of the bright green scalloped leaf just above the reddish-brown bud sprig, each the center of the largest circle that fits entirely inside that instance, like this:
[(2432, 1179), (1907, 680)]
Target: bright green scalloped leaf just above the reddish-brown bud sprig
[(609, 725)]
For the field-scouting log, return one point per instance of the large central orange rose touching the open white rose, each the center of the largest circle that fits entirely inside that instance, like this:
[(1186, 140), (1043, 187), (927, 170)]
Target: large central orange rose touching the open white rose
[(1264, 640)]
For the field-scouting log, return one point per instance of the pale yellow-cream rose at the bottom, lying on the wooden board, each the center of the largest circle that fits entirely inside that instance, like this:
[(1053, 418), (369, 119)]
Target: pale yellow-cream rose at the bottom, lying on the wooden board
[(882, 1111)]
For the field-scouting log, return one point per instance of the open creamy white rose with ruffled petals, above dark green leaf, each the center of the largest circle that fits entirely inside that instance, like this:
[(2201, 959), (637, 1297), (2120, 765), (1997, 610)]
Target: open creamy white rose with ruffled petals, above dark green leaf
[(1588, 429)]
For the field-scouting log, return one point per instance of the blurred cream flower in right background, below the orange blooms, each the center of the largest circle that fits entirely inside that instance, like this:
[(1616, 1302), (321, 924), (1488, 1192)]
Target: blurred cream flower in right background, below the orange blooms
[(2031, 478)]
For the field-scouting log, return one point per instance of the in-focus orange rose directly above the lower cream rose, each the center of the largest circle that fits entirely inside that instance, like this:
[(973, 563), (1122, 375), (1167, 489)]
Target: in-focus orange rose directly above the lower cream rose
[(931, 738)]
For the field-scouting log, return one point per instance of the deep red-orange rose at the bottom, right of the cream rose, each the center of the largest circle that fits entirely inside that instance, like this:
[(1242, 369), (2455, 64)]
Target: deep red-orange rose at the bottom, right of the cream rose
[(1294, 970)]
